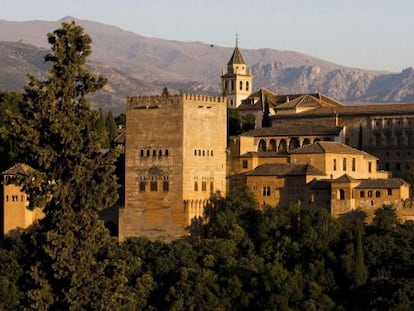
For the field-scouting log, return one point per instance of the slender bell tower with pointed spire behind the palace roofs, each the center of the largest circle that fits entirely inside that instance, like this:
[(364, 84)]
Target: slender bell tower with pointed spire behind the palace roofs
[(237, 83)]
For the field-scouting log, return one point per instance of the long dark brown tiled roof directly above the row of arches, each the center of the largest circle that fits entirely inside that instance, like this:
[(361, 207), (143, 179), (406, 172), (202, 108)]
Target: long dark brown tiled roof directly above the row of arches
[(300, 128)]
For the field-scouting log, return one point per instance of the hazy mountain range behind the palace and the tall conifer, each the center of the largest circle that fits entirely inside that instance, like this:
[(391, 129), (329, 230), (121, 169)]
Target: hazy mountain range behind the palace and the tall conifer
[(137, 65)]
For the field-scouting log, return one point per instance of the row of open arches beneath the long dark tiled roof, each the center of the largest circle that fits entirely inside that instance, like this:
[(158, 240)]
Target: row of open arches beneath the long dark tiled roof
[(285, 145)]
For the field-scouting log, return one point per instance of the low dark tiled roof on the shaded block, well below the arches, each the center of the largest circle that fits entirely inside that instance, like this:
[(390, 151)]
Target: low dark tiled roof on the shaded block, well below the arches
[(285, 169)]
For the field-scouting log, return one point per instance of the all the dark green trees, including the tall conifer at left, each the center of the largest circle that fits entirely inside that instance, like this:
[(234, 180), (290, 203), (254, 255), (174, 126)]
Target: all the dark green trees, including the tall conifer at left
[(242, 258)]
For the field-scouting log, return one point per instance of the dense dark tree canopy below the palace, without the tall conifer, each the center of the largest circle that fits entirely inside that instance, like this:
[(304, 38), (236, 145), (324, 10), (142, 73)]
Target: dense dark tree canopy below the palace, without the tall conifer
[(250, 259)]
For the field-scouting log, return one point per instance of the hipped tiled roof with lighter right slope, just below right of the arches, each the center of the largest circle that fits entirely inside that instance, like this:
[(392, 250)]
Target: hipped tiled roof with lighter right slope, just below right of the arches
[(329, 147)]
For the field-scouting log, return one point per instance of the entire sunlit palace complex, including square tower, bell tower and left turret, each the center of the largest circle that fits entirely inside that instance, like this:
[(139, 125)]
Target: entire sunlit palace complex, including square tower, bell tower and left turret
[(312, 150)]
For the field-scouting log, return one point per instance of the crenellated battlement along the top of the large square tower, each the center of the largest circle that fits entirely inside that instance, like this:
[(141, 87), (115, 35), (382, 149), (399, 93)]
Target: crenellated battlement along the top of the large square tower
[(156, 101)]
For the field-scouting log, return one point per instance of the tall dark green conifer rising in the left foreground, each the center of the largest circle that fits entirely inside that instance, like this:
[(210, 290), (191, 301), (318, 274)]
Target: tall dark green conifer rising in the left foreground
[(70, 265)]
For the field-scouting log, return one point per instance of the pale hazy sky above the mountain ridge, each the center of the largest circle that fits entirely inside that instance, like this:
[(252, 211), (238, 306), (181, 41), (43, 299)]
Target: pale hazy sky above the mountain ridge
[(370, 34)]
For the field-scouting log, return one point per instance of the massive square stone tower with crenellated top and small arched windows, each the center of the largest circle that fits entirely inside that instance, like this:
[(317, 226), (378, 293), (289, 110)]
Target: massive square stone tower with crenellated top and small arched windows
[(175, 157)]
